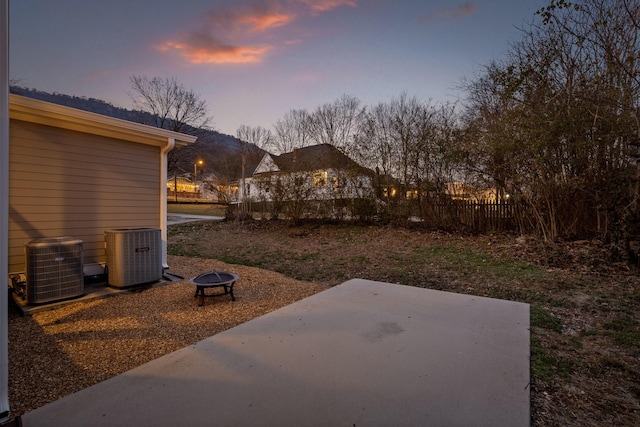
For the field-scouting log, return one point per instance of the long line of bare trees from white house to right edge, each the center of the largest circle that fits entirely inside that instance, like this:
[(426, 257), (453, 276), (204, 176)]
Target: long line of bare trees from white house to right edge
[(552, 126)]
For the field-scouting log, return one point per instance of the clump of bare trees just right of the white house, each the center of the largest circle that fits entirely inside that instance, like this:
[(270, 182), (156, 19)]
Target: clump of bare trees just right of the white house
[(412, 145)]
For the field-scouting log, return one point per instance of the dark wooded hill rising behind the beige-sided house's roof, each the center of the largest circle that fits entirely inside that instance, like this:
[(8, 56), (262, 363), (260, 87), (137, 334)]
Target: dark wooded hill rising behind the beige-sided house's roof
[(220, 153)]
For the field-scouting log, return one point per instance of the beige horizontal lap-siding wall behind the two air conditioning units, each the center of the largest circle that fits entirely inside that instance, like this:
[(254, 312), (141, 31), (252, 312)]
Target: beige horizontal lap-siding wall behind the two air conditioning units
[(68, 183)]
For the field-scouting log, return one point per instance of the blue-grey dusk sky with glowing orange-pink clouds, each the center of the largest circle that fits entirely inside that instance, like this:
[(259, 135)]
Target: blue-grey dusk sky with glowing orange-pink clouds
[(252, 61)]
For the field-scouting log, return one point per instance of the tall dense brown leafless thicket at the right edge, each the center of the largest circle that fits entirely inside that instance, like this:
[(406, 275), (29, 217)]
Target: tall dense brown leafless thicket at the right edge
[(556, 122)]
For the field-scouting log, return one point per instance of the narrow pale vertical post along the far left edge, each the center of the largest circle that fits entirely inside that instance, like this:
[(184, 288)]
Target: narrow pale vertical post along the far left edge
[(4, 210)]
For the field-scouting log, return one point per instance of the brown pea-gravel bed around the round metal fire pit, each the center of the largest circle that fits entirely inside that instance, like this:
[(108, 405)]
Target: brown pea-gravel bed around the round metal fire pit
[(58, 352)]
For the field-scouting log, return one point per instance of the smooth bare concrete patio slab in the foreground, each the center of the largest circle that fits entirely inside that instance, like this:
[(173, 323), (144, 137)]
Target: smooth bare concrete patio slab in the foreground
[(362, 353)]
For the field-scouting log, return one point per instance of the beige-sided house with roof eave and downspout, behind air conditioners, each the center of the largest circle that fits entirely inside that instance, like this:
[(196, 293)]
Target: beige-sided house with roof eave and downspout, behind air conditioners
[(75, 173)]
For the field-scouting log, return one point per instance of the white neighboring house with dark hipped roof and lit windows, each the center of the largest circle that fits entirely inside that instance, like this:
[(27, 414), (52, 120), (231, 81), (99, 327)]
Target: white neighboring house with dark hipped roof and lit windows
[(320, 173)]
